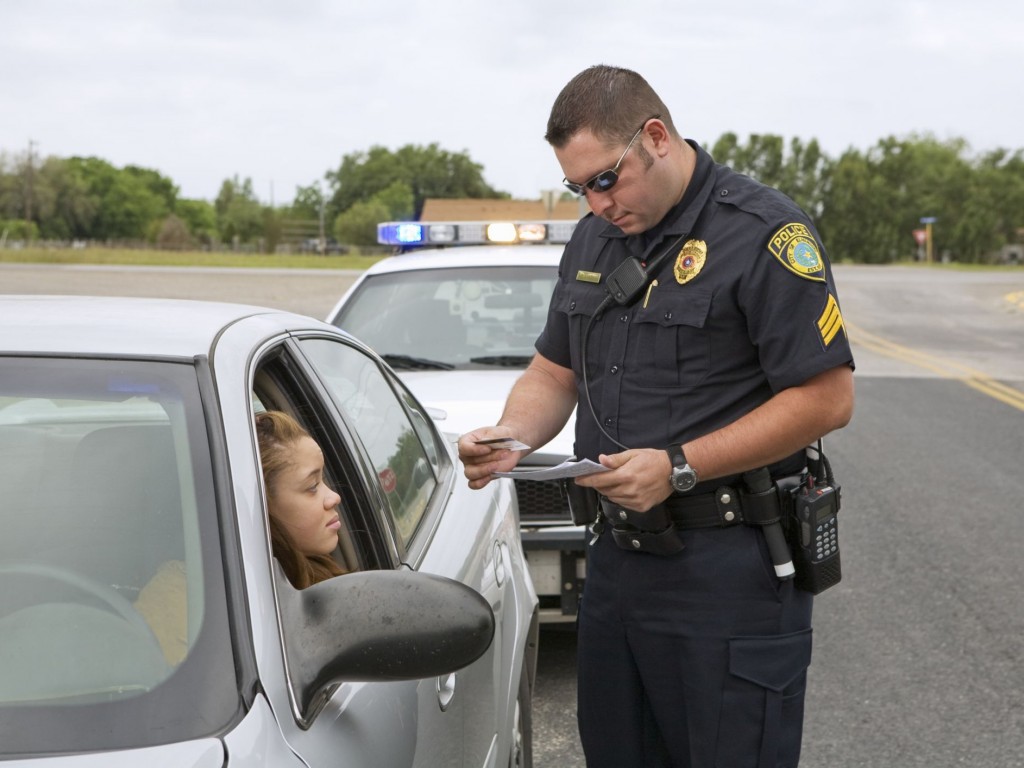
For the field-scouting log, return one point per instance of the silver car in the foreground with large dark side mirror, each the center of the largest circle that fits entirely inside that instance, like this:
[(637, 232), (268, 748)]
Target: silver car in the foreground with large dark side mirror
[(144, 621)]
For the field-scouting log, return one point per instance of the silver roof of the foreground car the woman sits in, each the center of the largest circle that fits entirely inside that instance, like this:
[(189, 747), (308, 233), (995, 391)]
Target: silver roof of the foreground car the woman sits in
[(94, 325)]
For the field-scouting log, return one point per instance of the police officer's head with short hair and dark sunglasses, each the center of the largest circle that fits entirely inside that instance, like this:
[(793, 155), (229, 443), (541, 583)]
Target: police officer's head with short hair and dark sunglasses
[(617, 144)]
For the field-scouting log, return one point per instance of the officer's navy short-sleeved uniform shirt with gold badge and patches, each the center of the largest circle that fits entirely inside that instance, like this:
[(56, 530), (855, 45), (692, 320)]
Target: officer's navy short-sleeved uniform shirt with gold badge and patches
[(746, 309)]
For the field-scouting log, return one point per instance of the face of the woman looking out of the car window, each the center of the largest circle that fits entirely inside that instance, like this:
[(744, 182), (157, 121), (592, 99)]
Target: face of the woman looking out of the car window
[(304, 504)]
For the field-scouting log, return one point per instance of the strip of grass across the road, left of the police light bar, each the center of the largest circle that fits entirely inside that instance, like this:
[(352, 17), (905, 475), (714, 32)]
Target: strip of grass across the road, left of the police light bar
[(99, 255)]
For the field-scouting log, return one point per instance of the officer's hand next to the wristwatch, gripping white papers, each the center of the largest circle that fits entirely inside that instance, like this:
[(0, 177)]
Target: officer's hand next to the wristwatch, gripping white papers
[(638, 481)]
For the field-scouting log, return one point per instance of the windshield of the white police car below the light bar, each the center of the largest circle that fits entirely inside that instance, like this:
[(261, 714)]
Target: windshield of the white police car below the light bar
[(463, 318)]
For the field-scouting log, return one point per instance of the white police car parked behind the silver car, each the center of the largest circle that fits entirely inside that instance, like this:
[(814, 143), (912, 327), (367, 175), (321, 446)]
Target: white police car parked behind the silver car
[(458, 324)]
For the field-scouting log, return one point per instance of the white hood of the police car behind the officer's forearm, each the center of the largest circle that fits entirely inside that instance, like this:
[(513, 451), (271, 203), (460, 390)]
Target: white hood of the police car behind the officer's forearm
[(463, 401)]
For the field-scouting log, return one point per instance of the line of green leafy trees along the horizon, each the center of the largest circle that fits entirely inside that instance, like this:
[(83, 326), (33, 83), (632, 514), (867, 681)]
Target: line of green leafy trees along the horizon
[(867, 205)]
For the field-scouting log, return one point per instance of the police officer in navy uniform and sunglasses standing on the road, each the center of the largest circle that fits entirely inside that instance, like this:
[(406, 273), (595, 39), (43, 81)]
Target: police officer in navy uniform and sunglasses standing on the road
[(726, 355)]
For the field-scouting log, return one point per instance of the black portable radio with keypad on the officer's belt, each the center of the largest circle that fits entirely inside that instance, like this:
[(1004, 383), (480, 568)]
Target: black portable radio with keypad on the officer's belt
[(814, 531)]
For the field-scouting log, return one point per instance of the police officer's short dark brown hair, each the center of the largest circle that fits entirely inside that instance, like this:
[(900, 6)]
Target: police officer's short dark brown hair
[(611, 102)]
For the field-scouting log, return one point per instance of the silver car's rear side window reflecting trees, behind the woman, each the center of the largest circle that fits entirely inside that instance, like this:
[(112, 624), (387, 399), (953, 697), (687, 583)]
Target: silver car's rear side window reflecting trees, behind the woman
[(407, 466)]
